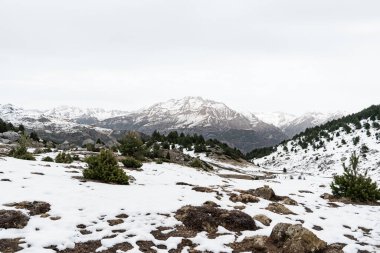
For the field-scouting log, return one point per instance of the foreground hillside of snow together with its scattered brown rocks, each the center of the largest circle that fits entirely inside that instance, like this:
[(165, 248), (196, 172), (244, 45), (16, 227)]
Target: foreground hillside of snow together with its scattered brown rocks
[(165, 209)]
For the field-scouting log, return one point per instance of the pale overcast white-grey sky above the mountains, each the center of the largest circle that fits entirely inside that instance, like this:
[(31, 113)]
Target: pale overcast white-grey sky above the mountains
[(292, 56)]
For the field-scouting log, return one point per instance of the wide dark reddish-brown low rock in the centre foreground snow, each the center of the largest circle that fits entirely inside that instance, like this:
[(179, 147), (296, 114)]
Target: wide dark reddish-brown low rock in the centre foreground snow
[(207, 218)]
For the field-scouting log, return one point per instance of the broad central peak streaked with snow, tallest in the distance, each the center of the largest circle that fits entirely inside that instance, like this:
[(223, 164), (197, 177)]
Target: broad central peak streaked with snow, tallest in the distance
[(197, 115)]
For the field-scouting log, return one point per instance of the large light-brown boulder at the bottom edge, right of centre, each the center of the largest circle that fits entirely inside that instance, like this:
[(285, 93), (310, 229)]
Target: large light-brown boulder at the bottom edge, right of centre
[(296, 239)]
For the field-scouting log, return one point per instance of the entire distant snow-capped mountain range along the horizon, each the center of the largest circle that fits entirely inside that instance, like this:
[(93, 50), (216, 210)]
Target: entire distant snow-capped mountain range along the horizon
[(245, 131)]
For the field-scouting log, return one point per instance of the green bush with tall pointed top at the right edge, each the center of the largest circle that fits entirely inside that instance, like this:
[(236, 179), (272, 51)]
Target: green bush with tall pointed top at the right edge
[(353, 185)]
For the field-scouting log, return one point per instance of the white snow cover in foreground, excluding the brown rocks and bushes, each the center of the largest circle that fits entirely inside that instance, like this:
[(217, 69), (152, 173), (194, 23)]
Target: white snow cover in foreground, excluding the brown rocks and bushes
[(151, 201)]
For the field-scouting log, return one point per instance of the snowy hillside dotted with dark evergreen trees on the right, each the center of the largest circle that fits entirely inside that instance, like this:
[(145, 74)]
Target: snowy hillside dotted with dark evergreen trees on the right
[(322, 149)]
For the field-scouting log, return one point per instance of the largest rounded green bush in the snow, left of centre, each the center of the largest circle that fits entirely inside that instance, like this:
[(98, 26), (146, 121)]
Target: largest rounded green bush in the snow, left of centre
[(104, 167)]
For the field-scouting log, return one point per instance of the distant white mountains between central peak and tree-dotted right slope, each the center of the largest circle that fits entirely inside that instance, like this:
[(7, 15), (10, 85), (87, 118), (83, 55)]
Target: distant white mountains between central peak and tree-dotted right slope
[(291, 124)]
